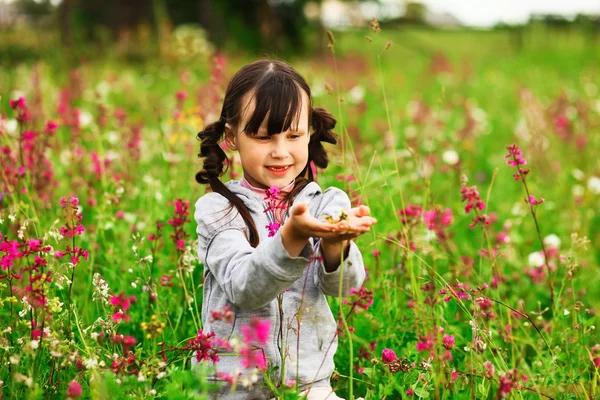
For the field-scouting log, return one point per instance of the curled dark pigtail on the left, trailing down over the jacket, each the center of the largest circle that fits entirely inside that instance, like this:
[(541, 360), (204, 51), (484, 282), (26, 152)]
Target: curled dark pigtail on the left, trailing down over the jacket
[(215, 164)]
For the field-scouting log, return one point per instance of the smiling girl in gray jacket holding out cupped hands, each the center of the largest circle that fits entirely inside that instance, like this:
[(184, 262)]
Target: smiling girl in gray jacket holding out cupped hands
[(269, 256)]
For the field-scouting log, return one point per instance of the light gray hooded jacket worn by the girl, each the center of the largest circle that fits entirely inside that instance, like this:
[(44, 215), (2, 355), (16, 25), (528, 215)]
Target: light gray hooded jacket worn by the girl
[(248, 280)]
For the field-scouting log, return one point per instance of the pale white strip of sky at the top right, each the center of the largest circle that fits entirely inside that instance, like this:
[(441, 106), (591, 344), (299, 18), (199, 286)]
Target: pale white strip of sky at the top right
[(488, 12)]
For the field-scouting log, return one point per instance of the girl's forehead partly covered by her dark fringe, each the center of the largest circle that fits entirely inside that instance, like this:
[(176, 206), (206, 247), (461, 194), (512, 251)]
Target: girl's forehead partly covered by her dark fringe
[(273, 116)]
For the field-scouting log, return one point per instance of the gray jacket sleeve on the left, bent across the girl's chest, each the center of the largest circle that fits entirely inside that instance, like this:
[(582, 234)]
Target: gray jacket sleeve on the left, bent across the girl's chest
[(250, 277)]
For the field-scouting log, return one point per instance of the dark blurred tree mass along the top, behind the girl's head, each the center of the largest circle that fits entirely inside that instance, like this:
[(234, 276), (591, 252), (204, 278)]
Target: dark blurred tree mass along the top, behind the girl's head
[(255, 25)]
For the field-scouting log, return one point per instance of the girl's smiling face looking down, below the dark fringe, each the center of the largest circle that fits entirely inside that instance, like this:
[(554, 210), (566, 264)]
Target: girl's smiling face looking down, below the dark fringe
[(271, 160)]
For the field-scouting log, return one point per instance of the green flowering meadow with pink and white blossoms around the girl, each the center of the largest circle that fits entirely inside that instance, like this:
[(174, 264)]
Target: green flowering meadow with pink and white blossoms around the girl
[(476, 152)]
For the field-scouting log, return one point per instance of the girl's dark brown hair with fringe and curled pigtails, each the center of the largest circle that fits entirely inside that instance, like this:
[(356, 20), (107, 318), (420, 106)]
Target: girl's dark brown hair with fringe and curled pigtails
[(278, 92)]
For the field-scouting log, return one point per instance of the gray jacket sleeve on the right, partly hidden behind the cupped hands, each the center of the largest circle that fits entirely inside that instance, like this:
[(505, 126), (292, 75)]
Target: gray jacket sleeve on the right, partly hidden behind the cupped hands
[(332, 201)]
